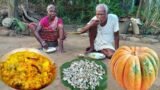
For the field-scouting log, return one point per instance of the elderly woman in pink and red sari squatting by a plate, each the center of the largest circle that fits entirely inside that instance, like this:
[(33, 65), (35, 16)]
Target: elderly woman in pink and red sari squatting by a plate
[(49, 32)]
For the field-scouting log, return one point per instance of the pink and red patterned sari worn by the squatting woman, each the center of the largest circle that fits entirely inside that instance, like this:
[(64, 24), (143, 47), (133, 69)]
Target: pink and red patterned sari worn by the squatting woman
[(49, 31)]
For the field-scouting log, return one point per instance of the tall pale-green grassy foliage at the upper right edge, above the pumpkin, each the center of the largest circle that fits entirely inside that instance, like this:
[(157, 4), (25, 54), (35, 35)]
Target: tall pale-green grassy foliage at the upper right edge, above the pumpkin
[(150, 15)]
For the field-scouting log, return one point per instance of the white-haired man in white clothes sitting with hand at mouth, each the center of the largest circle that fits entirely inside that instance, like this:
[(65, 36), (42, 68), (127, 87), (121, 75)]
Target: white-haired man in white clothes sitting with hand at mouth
[(103, 31)]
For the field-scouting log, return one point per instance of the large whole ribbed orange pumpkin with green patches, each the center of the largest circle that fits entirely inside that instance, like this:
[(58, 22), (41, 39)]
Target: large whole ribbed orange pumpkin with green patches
[(135, 68)]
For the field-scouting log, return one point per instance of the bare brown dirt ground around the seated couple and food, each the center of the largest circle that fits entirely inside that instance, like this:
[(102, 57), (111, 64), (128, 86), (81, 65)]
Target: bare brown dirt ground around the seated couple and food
[(74, 45)]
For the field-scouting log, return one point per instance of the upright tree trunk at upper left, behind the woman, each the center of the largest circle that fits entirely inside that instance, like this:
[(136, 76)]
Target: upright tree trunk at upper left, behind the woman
[(13, 8)]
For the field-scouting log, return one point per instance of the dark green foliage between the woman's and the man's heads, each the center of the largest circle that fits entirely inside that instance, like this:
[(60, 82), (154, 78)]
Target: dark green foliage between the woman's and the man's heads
[(78, 11)]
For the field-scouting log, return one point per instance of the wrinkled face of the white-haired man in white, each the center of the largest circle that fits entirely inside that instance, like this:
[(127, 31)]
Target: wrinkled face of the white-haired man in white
[(101, 14)]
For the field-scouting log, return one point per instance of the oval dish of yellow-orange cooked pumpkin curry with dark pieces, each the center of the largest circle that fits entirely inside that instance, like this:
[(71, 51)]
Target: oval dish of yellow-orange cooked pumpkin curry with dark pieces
[(27, 69)]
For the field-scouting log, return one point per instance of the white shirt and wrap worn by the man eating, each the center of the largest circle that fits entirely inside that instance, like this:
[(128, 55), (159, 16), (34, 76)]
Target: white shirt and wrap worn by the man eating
[(105, 34)]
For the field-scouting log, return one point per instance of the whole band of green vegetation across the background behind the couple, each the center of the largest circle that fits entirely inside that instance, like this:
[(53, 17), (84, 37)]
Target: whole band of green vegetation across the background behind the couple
[(81, 11)]
